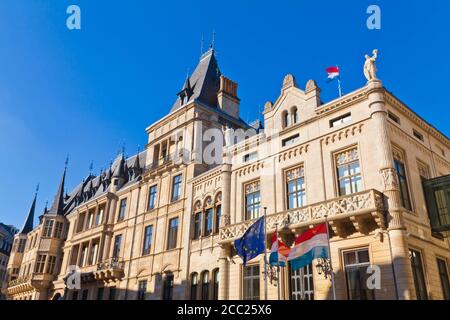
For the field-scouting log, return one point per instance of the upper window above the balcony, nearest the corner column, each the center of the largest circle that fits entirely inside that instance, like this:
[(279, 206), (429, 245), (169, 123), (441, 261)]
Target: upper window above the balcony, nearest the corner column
[(348, 172)]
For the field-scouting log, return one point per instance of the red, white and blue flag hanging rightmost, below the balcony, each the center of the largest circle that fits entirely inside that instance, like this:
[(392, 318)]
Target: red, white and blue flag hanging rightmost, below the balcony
[(308, 246)]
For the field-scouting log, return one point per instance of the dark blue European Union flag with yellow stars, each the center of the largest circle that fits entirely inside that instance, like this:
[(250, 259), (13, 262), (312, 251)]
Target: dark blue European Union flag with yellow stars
[(252, 242)]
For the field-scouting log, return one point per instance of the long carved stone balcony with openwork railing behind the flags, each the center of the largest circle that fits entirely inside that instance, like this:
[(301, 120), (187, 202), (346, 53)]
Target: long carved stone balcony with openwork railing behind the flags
[(356, 212)]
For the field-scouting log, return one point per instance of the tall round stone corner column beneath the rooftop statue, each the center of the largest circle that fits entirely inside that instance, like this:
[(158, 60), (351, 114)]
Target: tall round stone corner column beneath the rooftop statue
[(391, 191)]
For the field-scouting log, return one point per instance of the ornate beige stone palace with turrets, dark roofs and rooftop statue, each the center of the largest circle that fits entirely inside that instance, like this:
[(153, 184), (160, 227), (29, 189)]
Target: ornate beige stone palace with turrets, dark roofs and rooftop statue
[(161, 224)]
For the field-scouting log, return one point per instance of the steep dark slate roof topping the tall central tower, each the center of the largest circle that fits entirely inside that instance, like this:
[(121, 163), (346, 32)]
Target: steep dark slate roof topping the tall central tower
[(204, 83)]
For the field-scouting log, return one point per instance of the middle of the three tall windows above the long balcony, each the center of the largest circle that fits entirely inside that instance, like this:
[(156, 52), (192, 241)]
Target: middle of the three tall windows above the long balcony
[(296, 190)]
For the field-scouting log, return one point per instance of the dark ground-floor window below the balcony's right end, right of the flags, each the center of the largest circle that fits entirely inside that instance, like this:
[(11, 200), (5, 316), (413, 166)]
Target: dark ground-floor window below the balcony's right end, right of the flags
[(356, 264)]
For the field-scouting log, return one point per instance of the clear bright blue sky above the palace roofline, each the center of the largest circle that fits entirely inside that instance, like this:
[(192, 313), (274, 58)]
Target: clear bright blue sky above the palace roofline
[(85, 92)]
